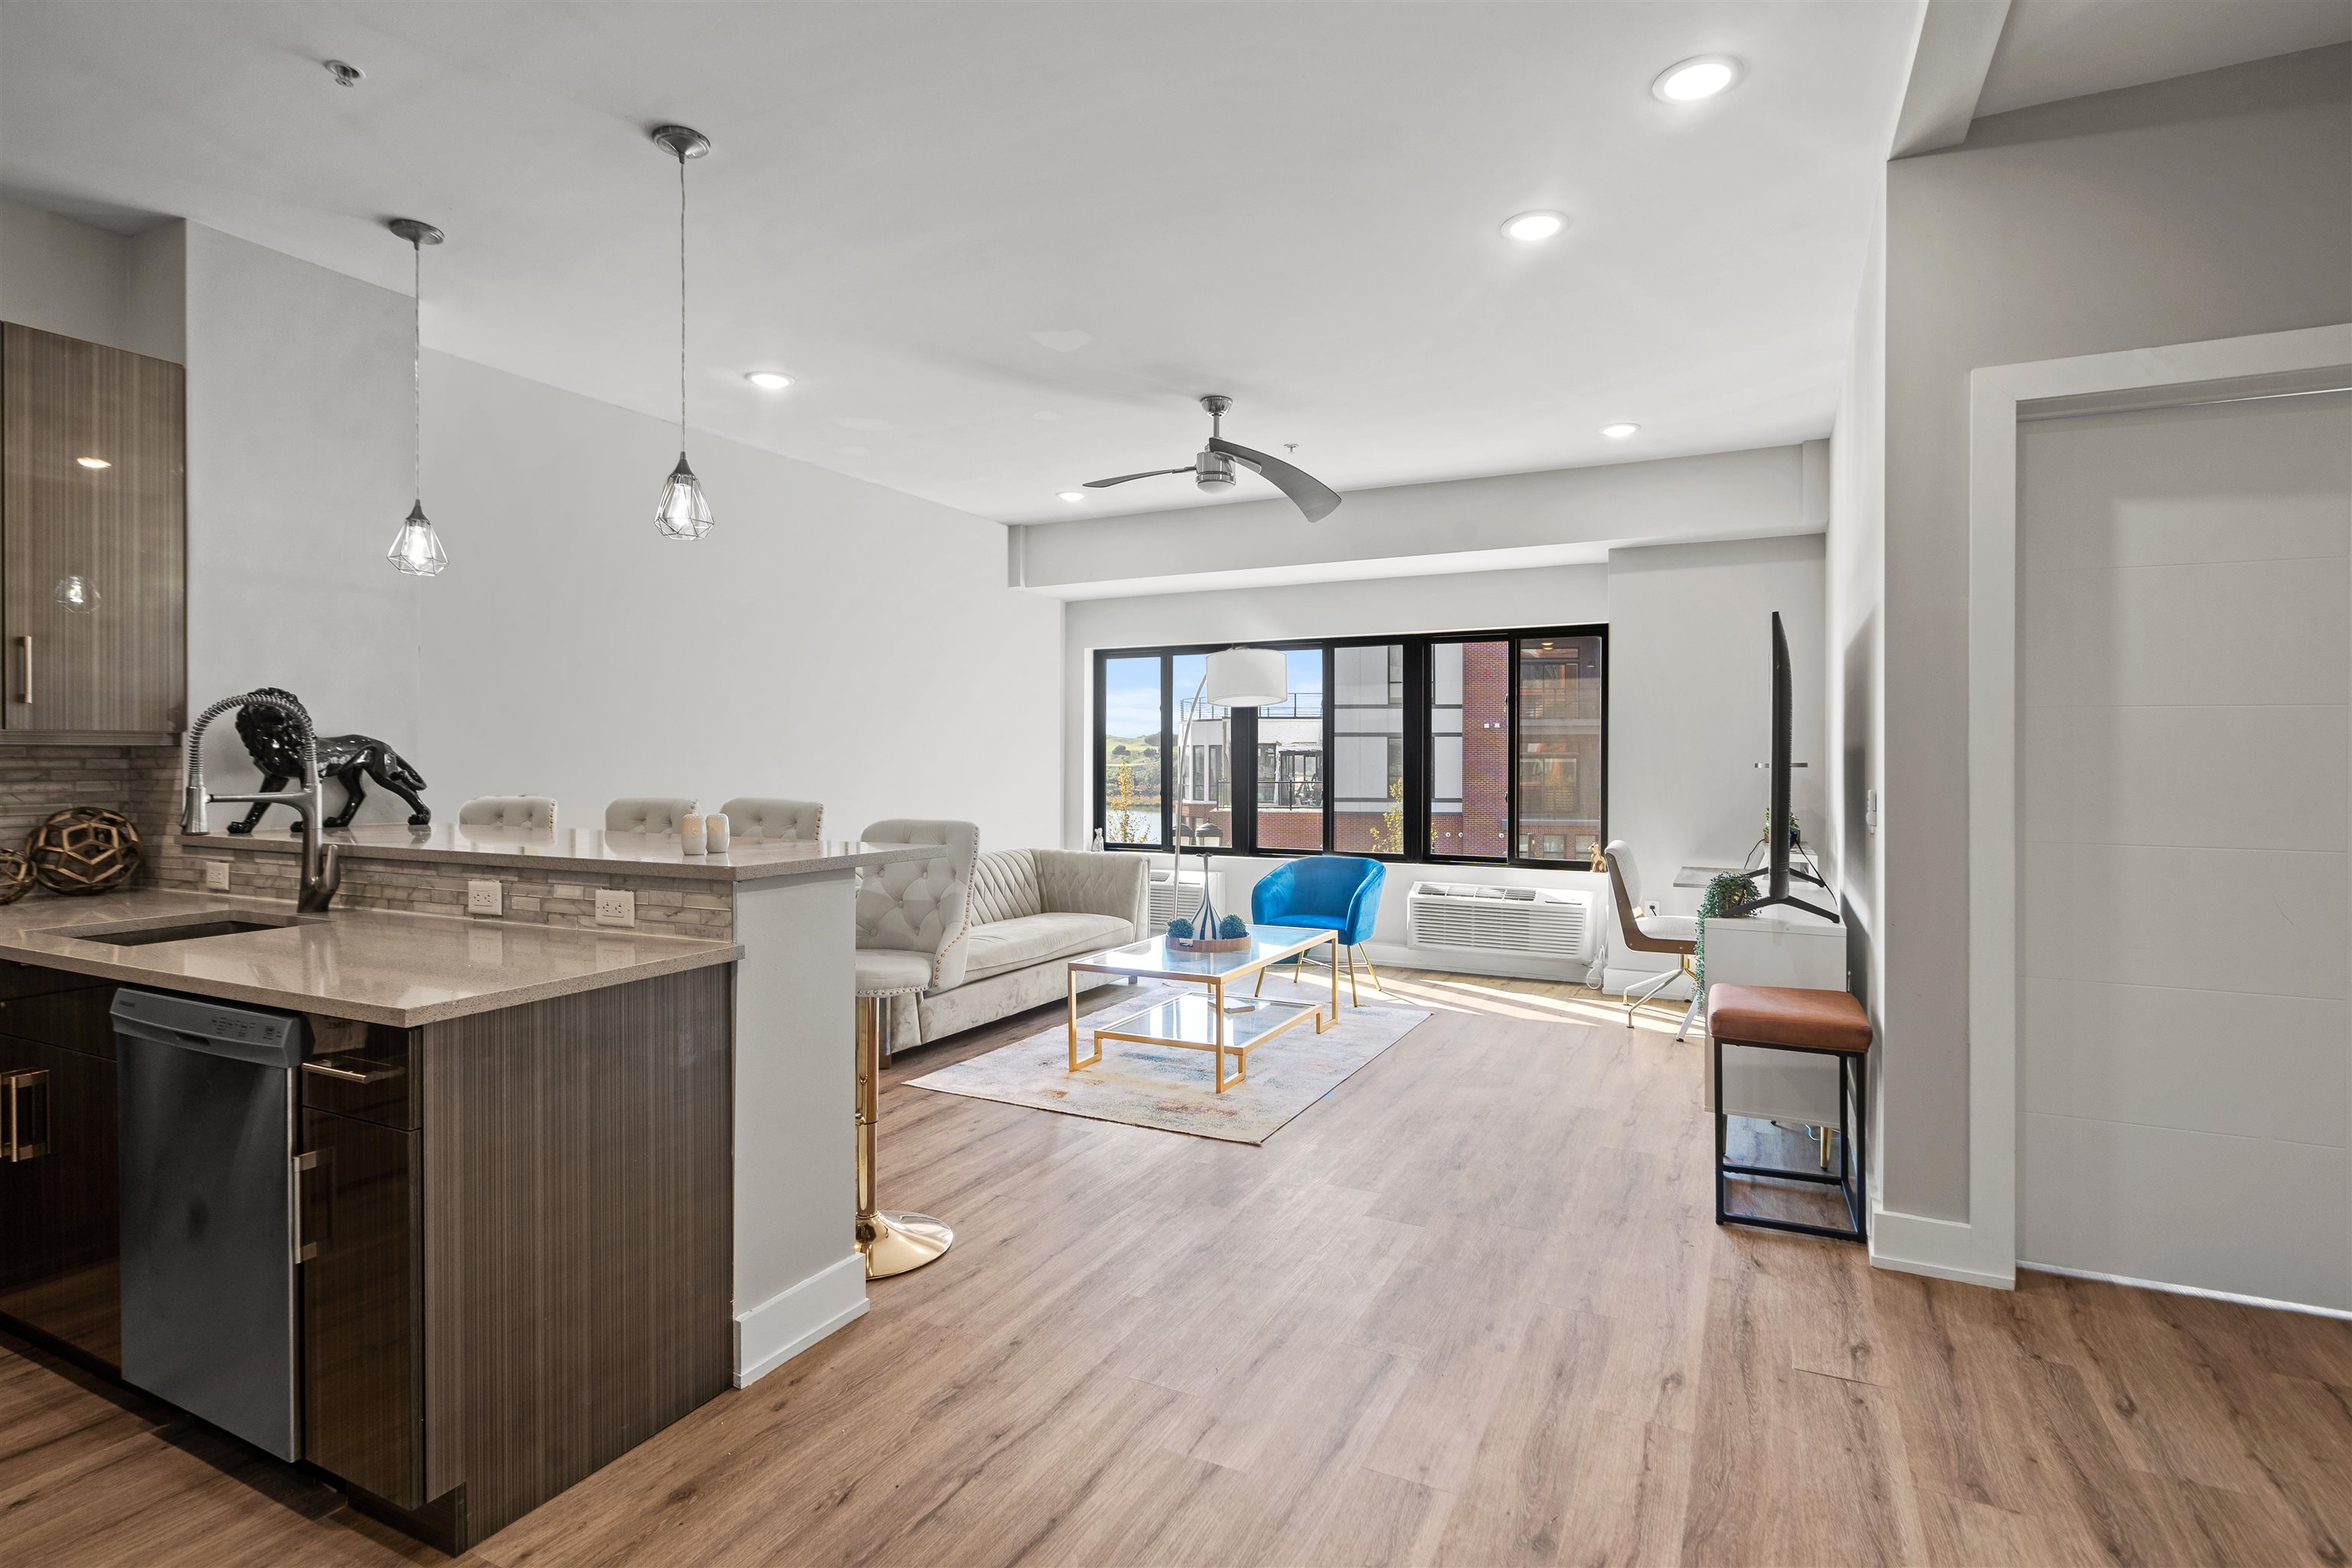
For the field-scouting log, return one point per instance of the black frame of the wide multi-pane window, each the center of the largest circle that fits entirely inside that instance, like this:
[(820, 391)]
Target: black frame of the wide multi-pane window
[(1243, 732)]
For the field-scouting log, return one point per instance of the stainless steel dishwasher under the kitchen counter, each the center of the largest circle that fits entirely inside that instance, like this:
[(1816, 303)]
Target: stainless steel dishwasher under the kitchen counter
[(208, 1209)]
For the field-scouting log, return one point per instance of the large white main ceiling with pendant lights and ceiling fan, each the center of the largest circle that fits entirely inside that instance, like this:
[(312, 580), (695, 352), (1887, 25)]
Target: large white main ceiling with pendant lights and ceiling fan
[(1005, 246)]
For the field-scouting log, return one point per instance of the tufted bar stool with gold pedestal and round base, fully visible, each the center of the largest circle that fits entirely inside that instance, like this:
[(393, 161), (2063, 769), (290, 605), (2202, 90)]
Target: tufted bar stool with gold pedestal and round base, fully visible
[(914, 920)]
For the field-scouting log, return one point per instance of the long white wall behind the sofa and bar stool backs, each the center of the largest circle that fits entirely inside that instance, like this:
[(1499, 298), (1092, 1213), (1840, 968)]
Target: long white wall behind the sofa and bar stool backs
[(829, 641)]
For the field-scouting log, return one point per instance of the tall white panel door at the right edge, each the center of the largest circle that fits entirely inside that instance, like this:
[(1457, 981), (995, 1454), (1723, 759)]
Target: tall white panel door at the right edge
[(2186, 666)]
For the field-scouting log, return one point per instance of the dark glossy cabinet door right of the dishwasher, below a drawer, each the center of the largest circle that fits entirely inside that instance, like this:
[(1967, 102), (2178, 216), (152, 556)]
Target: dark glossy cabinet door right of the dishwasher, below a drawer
[(363, 1306)]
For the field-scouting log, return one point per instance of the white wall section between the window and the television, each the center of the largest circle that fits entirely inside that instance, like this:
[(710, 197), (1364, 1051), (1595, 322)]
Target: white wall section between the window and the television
[(1690, 702)]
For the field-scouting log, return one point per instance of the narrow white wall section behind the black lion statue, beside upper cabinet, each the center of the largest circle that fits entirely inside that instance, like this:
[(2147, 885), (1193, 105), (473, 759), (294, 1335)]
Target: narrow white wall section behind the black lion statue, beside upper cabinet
[(298, 481)]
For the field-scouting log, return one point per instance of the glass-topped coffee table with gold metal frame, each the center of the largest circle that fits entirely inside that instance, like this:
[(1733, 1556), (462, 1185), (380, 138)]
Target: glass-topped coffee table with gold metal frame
[(1205, 1019)]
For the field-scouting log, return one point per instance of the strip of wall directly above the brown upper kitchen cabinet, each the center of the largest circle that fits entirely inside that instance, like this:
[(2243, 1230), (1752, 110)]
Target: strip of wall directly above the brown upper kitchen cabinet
[(91, 283)]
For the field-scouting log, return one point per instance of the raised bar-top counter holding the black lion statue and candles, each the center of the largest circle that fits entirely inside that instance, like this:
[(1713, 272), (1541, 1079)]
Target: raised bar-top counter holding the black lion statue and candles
[(655, 855)]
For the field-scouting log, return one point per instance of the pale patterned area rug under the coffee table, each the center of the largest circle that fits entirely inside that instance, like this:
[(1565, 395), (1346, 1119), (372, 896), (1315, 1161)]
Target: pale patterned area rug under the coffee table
[(1172, 1090)]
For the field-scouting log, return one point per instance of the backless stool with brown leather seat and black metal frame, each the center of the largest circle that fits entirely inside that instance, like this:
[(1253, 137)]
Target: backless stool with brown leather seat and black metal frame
[(1812, 1024)]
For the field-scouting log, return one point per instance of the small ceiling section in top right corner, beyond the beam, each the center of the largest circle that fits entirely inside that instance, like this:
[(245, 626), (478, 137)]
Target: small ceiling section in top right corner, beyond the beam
[(2066, 48)]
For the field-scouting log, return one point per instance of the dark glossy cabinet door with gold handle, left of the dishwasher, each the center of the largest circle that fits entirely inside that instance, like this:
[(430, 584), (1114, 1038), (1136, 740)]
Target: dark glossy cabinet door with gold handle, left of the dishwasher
[(60, 1266)]
